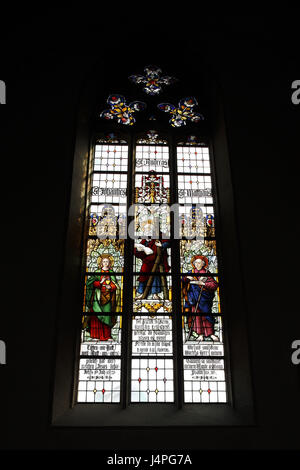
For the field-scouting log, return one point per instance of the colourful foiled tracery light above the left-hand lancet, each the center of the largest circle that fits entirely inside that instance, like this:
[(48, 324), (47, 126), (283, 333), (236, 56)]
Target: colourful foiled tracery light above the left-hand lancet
[(122, 111)]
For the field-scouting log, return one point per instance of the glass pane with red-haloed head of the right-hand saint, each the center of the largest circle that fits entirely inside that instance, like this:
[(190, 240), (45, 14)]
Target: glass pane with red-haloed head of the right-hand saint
[(195, 254)]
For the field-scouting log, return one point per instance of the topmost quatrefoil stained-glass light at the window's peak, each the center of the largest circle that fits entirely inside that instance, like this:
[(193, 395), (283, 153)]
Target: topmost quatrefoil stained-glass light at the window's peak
[(152, 80)]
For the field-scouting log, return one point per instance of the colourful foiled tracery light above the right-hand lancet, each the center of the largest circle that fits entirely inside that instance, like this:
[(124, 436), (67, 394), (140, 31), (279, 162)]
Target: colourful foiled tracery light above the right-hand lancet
[(183, 113)]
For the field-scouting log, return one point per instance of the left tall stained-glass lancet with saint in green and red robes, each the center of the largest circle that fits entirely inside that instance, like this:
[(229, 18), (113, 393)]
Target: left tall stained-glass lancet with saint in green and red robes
[(99, 378)]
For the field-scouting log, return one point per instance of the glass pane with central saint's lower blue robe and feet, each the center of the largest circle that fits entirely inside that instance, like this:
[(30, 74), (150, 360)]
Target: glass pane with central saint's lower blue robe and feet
[(152, 294)]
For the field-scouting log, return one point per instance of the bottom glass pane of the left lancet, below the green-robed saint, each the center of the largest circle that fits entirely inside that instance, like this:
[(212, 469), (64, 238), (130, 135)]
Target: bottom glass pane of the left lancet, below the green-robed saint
[(99, 380)]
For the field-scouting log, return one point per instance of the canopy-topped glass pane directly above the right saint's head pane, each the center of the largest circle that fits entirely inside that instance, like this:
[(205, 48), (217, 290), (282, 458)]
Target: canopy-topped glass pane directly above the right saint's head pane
[(197, 221)]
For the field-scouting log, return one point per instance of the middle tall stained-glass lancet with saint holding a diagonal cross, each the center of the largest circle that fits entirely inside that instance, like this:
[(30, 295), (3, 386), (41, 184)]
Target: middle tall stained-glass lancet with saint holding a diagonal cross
[(152, 364)]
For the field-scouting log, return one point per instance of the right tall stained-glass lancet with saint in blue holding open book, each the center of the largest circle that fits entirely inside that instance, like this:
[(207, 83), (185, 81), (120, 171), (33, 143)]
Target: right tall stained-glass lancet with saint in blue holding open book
[(202, 317)]
